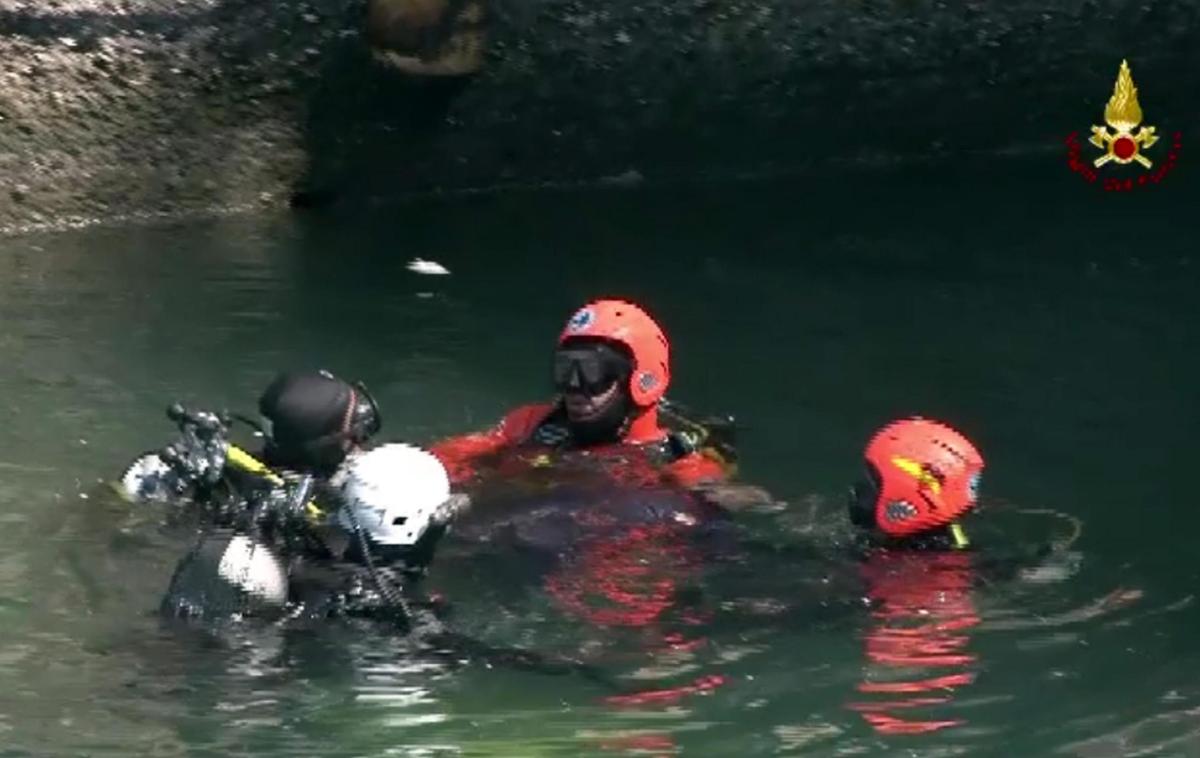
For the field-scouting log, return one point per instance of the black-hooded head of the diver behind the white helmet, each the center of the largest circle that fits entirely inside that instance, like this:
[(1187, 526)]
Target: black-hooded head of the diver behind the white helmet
[(316, 420)]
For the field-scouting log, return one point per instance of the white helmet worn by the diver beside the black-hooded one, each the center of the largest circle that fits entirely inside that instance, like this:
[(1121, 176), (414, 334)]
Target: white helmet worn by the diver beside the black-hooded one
[(395, 492)]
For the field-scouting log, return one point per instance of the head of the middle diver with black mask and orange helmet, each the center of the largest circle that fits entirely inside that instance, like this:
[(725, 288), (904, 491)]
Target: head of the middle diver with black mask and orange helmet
[(611, 368)]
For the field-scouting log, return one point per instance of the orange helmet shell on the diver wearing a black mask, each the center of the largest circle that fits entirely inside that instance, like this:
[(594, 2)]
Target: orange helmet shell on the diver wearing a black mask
[(627, 324)]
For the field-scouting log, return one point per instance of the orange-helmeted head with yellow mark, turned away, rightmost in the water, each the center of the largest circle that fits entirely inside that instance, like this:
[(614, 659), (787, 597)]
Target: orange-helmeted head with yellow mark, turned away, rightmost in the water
[(922, 477)]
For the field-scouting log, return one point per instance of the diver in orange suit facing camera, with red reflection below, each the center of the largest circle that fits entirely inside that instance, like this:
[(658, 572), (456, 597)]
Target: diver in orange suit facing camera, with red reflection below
[(626, 485)]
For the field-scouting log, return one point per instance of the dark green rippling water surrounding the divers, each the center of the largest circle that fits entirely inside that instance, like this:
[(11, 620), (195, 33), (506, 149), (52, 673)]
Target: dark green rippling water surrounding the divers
[(1058, 326)]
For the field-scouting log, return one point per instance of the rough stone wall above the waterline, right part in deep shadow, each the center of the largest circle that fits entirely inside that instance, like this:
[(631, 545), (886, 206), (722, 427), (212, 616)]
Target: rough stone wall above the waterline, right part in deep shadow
[(128, 109)]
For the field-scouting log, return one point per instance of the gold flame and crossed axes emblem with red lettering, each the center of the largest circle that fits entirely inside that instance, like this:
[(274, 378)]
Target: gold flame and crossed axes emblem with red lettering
[(1124, 142)]
